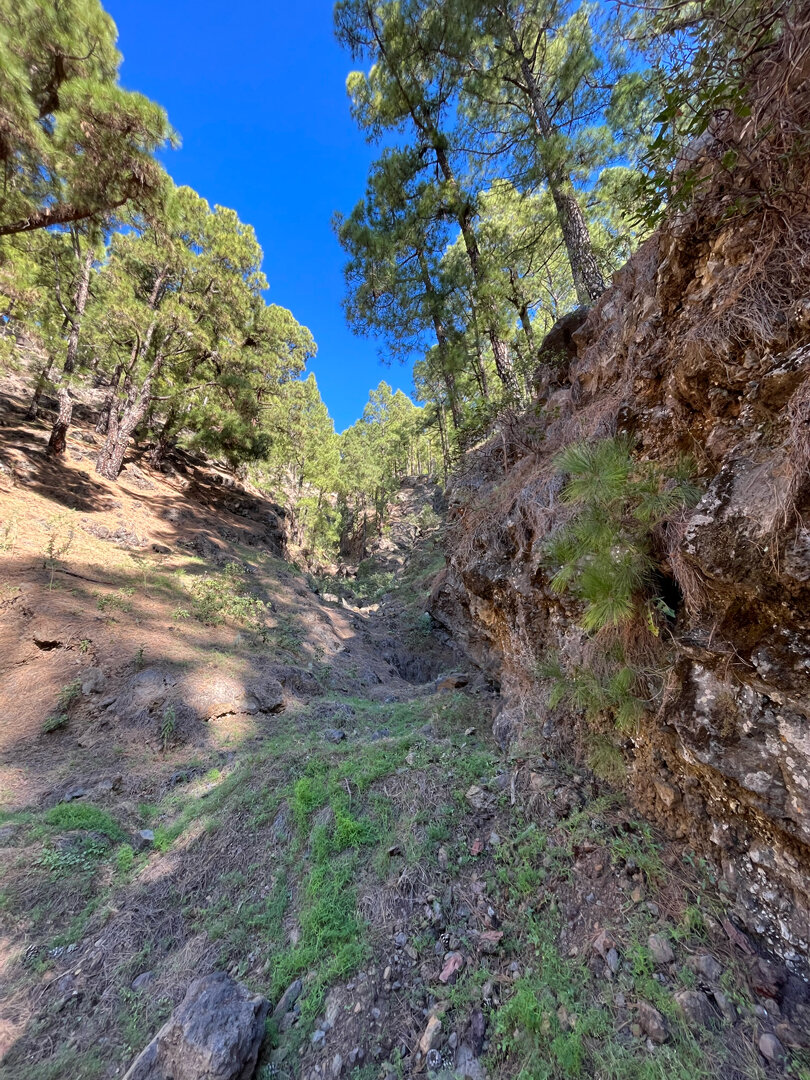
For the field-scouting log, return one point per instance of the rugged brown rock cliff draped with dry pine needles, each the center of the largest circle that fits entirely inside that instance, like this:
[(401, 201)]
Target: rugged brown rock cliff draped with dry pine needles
[(701, 346)]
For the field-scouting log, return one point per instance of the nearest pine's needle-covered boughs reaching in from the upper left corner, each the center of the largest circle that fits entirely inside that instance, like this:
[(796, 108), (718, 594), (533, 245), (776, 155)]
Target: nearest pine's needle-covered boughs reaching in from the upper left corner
[(74, 144)]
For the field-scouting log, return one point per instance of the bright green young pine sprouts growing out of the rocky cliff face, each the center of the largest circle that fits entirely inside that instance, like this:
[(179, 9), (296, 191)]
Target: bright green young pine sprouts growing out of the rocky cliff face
[(605, 557)]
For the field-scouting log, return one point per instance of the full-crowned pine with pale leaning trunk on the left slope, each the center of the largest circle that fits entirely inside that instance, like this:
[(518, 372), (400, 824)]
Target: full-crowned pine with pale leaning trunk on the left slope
[(191, 335)]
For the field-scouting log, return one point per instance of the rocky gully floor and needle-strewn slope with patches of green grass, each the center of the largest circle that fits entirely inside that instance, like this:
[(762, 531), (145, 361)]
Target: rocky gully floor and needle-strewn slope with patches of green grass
[(213, 763)]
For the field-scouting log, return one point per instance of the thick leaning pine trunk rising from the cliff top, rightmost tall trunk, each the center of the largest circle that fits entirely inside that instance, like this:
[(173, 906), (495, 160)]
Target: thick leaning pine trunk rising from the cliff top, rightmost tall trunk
[(588, 278)]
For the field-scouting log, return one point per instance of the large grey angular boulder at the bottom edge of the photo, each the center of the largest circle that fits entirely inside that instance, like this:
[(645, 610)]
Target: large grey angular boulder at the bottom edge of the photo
[(214, 1034)]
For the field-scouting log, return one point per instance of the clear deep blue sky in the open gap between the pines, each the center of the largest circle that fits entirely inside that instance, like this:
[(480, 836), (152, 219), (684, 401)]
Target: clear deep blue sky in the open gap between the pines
[(258, 92)]
